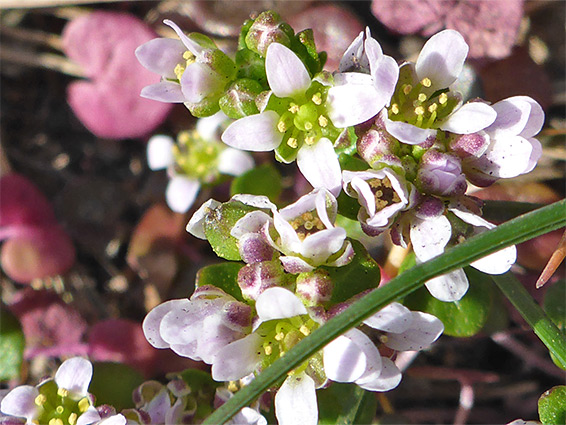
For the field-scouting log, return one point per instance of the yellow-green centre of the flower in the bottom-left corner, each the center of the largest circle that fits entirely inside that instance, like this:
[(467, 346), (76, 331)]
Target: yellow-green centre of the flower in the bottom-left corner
[(57, 407)]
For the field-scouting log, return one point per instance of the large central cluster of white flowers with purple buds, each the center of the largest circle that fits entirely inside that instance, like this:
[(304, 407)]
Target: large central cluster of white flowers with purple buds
[(398, 139)]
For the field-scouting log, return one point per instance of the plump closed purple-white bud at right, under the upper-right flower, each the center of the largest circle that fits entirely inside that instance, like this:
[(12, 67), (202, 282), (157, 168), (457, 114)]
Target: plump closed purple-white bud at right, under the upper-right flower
[(441, 174)]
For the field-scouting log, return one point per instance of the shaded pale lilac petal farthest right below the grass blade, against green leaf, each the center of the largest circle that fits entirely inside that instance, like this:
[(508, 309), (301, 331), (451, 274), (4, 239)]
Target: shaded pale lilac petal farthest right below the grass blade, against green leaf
[(424, 330)]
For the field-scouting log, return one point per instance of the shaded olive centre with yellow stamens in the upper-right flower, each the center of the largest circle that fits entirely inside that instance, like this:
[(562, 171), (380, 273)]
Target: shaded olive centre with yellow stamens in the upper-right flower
[(419, 105)]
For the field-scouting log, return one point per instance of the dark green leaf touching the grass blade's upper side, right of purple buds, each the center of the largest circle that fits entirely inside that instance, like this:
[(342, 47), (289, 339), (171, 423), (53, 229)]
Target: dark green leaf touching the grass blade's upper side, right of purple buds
[(360, 274)]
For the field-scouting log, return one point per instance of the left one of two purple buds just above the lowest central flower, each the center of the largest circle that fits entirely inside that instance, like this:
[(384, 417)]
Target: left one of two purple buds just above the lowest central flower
[(257, 277)]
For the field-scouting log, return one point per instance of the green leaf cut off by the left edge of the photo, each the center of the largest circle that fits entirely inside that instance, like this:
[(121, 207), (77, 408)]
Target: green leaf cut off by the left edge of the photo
[(12, 344)]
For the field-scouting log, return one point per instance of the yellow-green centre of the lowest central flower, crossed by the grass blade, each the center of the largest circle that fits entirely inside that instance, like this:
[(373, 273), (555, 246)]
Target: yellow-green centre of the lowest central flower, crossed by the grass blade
[(279, 336)]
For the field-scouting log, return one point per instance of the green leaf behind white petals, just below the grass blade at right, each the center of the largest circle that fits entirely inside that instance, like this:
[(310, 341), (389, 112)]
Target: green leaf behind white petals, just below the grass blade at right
[(462, 318)]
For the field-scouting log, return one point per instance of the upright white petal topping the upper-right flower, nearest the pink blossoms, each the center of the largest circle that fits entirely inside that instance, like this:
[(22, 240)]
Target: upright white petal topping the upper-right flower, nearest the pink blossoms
[(442, 58)]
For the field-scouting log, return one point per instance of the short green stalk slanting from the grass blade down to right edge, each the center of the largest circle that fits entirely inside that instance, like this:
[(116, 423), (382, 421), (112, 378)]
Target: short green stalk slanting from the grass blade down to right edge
[(534, 315)]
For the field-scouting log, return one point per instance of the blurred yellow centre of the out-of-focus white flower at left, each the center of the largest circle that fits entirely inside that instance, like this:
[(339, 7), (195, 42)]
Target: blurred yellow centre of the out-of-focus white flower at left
[(196, 157)]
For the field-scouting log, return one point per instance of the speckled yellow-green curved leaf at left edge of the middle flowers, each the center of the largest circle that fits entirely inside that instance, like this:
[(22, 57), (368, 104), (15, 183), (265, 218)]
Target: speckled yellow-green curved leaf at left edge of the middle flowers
[(217, 226)]
